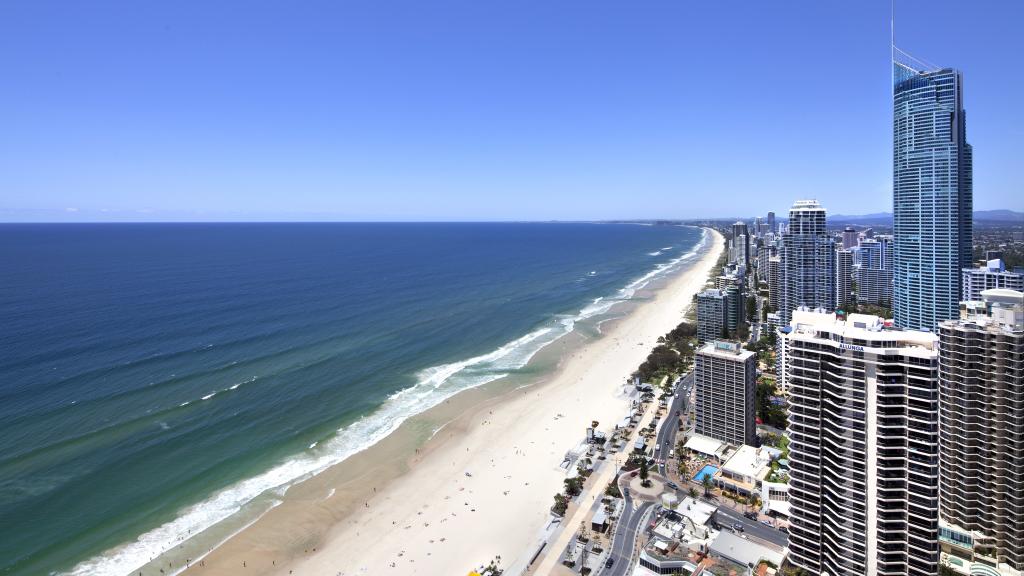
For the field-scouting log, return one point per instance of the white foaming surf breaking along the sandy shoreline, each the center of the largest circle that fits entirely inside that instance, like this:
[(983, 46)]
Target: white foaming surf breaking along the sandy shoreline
[(435, 386)]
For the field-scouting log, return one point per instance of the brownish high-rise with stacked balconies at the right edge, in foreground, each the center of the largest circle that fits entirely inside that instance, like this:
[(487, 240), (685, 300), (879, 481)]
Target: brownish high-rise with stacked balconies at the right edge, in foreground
[(982, 448)]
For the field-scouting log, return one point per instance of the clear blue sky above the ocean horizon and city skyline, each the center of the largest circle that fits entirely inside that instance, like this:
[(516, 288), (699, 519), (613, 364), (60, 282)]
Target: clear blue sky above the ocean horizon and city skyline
[(481, 109)]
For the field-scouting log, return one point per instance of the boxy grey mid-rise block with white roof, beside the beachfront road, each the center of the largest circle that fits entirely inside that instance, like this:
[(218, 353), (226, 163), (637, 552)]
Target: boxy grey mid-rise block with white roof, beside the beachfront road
[(726, 381)]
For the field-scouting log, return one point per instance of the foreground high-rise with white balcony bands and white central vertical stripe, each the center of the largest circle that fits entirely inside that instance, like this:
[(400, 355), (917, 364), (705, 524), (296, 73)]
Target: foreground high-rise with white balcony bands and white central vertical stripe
[(864, 446)]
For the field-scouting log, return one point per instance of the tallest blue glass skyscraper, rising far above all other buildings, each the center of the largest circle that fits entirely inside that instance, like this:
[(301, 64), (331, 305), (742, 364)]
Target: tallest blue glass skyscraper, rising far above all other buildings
[(932, 195)]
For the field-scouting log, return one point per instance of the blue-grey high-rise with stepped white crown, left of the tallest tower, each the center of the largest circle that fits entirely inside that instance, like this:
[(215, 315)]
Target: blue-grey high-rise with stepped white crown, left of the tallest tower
[(808, 262)]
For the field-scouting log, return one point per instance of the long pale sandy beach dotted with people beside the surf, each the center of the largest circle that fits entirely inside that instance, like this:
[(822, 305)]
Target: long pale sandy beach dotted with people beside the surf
[(481, 488)]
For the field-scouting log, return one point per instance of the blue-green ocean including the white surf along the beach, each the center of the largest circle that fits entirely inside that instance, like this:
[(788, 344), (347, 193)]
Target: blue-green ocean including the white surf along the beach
[(156, 379)]
